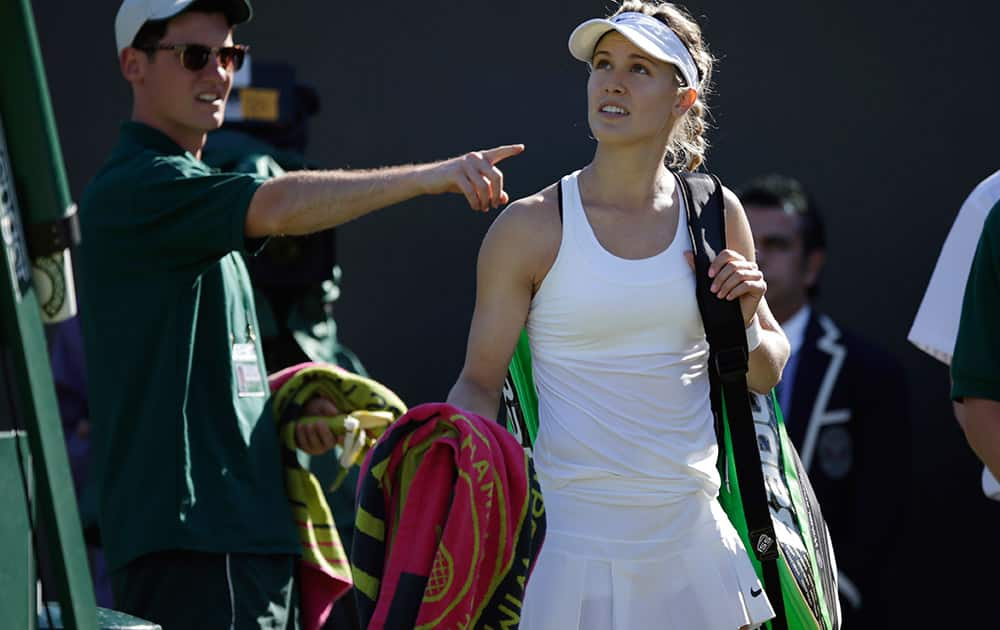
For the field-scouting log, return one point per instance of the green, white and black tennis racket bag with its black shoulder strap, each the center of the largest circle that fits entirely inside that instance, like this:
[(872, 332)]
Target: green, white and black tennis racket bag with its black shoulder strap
[(765, 489)]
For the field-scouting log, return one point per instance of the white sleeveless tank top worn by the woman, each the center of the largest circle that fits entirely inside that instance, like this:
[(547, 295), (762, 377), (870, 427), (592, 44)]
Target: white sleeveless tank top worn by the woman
[(619, 358)]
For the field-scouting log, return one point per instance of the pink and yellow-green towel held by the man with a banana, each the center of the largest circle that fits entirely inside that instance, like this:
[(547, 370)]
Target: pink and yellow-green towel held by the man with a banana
[(325, 573)]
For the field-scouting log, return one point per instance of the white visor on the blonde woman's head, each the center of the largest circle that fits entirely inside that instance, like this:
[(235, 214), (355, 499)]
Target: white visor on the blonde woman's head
[(652, 36)]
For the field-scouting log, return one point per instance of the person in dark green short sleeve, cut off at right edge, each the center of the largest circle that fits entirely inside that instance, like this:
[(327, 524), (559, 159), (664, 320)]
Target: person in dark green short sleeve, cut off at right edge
[(975, 366)]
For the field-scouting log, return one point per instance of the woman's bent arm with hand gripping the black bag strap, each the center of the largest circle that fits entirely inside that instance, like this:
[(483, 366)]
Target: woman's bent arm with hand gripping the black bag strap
[(735, 275)]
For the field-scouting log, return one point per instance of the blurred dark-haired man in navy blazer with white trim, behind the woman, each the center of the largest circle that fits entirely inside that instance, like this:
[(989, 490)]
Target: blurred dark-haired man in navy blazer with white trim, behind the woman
[(844, 400)]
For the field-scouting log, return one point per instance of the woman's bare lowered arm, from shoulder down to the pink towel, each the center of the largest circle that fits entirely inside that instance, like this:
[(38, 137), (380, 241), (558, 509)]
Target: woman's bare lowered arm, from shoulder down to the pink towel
[(515, 255)]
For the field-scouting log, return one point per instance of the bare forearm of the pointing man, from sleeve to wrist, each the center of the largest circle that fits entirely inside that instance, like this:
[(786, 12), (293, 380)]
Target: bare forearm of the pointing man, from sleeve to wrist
[(304, 202)]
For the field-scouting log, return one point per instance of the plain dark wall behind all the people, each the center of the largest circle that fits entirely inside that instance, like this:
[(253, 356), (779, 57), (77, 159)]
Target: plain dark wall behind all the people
[(885, 110)]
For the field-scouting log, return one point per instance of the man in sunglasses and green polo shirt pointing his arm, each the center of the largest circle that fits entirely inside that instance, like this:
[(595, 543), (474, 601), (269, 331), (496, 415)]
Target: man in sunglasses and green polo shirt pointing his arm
[(192, 510)]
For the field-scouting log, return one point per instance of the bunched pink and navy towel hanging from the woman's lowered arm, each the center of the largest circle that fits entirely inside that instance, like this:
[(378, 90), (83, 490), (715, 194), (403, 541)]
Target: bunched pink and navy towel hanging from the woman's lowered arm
[(449, 524)]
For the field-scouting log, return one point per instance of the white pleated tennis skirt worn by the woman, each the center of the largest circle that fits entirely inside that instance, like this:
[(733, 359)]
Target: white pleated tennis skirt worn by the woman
[(639, 565)]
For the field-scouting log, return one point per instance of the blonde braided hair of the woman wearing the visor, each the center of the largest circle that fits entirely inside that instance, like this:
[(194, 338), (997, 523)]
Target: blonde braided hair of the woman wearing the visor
[(688, 145)]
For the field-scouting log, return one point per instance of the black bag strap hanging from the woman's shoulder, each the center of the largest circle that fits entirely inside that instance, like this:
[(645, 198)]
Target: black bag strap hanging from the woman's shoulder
[(729, 362)]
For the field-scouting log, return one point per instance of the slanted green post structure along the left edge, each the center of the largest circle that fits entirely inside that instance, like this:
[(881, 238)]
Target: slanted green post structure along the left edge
[(33, 188)]
